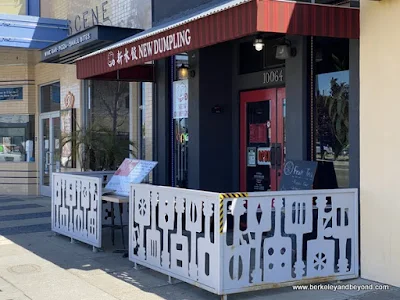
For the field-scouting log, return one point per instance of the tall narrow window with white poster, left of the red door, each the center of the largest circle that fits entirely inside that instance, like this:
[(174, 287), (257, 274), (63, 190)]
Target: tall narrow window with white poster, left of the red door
[(180, 110)]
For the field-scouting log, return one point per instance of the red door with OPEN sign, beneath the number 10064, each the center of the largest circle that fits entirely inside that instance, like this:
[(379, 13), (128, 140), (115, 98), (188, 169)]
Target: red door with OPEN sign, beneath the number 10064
[(261, 139)]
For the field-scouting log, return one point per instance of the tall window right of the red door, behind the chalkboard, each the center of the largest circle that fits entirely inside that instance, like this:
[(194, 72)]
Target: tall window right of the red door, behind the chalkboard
[(332, 106)]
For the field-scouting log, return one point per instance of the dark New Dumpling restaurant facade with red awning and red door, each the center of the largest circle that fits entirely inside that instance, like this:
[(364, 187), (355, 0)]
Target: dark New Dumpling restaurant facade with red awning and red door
[(206, 124)]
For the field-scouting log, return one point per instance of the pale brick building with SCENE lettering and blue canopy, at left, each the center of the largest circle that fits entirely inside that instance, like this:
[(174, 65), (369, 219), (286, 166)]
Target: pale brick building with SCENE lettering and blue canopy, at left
[(51, 91)]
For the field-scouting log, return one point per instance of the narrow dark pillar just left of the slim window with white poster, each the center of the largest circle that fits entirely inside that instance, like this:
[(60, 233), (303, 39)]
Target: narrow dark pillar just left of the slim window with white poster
[(161, 127)]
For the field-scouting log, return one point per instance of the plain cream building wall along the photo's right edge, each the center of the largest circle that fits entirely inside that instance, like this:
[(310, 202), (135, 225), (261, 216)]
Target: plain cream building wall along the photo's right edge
[(380, 140)]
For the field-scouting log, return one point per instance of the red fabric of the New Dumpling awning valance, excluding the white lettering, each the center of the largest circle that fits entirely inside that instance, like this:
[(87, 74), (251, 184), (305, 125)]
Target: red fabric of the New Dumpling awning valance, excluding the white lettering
[(246, 19)]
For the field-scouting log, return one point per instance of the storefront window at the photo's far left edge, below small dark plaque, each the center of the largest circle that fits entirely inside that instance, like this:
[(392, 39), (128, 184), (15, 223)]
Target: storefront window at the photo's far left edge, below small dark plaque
[(17, 135)]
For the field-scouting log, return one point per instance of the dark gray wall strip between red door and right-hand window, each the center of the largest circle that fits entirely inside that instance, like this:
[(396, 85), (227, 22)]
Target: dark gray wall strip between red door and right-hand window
[(297, 101)]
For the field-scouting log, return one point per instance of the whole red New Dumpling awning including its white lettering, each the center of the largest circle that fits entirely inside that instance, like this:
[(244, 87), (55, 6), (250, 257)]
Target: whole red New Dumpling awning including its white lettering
[(235, 19)]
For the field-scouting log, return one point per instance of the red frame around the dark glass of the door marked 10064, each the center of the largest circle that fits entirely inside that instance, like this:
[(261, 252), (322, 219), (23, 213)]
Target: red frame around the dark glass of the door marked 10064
[(276, 96)]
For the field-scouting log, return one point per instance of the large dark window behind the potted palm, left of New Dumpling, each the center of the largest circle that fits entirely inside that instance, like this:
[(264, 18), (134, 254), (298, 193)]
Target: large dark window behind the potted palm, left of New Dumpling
[(105, 133)]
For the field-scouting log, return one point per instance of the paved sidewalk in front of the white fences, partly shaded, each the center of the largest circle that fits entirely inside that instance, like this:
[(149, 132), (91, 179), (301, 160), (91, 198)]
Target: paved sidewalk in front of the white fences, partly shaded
[(37, 264)]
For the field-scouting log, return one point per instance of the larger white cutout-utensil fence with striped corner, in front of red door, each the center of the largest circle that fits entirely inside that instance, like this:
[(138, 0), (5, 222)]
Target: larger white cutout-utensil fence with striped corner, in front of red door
[(230, 243)]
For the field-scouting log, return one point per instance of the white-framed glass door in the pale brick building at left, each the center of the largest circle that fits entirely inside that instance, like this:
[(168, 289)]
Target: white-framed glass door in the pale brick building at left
[(50, 133)]
